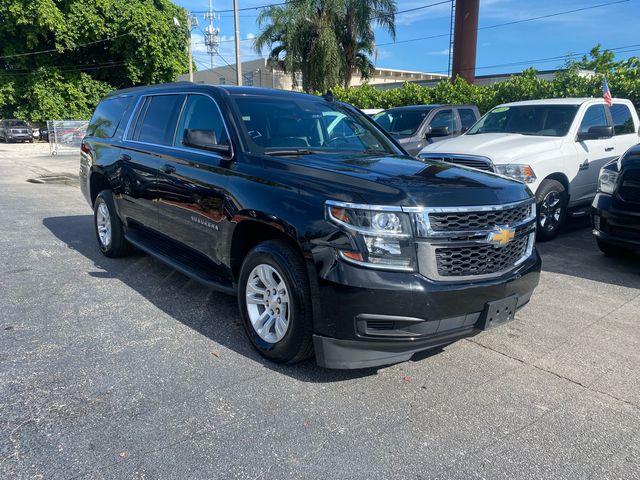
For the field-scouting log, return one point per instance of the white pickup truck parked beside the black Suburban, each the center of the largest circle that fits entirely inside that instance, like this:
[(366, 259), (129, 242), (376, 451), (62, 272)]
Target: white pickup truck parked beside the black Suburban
[(556, 146)]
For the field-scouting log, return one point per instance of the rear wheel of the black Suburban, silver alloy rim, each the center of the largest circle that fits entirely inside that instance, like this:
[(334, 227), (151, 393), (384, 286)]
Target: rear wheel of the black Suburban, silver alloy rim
[(108, 227)]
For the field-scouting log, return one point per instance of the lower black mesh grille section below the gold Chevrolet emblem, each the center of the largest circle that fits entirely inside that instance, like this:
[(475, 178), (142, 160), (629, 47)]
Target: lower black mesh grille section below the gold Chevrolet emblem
[(479, 259)]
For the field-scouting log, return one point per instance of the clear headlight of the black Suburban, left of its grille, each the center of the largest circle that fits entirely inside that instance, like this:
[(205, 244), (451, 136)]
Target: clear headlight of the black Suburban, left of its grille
[(382, 235)]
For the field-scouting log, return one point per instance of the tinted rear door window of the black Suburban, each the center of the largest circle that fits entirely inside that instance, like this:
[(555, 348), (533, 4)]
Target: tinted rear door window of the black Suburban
[(158, 122)]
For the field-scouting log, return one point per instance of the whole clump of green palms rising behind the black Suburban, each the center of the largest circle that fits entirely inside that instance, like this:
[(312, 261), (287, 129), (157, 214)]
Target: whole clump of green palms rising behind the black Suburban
[(326, 40)]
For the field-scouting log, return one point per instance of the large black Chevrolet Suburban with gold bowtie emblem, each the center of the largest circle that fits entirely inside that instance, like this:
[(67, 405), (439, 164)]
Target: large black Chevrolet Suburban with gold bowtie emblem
[(333, 238)]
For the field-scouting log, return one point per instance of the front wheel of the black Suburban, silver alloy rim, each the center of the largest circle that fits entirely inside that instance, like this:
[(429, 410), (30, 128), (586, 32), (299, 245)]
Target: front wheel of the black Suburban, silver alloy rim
[(279, 261)]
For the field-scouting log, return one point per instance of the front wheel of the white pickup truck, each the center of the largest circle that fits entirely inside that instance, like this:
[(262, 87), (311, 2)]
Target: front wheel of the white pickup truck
[(552, 200)]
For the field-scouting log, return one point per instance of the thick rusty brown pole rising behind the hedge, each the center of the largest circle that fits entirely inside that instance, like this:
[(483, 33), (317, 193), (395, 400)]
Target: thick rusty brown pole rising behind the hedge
[(465, 40)]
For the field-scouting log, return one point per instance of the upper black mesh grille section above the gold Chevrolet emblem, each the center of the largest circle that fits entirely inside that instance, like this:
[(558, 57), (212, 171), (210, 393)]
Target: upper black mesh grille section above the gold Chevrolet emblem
[(478, 220)]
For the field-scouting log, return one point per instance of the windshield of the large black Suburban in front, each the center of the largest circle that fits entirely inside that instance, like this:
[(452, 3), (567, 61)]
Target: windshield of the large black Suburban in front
[(299, 125)]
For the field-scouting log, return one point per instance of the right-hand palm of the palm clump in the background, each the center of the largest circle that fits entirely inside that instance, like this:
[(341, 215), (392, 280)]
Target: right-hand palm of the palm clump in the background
[(357, 39)]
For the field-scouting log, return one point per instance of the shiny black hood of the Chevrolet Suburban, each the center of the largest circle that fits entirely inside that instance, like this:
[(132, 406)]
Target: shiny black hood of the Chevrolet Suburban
[(395, 180)]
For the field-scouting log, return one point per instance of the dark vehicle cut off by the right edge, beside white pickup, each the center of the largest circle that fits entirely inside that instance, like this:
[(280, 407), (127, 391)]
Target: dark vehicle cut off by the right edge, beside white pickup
[(615, 212)]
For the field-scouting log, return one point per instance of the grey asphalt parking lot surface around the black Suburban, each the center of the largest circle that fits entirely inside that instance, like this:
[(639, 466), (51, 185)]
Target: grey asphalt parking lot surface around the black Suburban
[(127, 369)]
